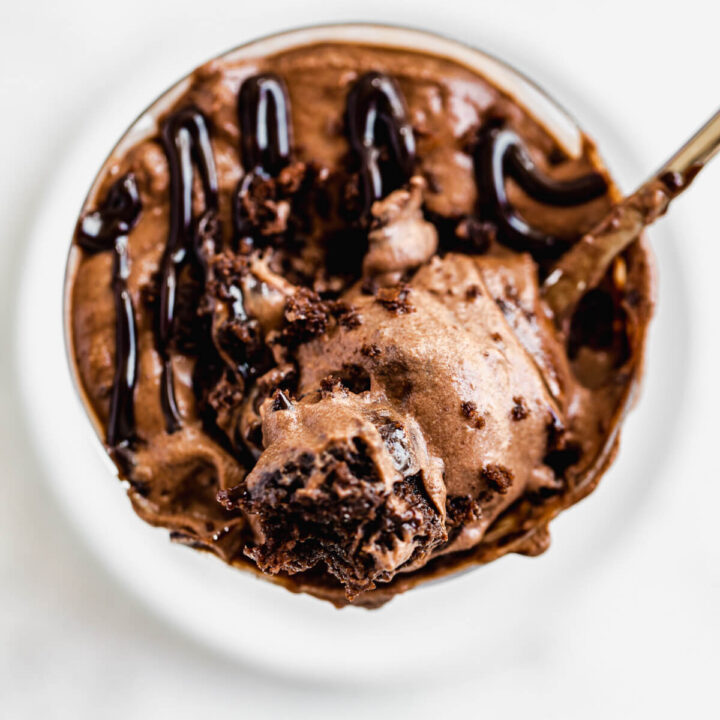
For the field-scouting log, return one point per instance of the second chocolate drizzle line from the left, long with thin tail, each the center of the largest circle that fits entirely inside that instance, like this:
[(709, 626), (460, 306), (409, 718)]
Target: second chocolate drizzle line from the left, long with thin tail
[(186, 140)]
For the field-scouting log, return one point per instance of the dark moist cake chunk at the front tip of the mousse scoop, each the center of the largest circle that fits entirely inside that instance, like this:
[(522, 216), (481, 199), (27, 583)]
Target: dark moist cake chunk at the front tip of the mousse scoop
[(332, 509)]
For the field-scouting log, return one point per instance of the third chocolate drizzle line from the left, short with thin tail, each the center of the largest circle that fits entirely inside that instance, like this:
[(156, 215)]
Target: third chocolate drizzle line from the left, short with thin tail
[(265, 136)]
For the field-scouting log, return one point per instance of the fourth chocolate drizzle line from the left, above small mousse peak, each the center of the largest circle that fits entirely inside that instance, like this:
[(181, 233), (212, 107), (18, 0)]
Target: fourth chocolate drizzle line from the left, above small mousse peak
[(377, 123)]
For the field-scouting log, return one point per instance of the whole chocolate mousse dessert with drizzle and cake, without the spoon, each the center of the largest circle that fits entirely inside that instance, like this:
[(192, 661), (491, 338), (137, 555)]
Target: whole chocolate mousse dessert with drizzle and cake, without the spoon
[(306, 315)]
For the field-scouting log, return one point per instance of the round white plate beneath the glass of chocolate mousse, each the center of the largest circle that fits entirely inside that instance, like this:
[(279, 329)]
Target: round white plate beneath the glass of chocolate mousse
[(485, 614)]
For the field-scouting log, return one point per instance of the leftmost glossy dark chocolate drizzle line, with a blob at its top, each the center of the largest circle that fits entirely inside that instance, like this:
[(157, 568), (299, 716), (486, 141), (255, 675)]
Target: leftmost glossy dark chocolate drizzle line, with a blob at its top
[(107, 229)]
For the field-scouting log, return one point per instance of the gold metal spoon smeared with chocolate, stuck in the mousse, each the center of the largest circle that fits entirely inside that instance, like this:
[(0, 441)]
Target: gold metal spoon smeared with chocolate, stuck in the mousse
[(585, 264)]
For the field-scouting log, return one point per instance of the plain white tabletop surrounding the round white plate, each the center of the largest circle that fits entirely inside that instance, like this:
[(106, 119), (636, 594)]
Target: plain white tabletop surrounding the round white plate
[(641, 637)]
